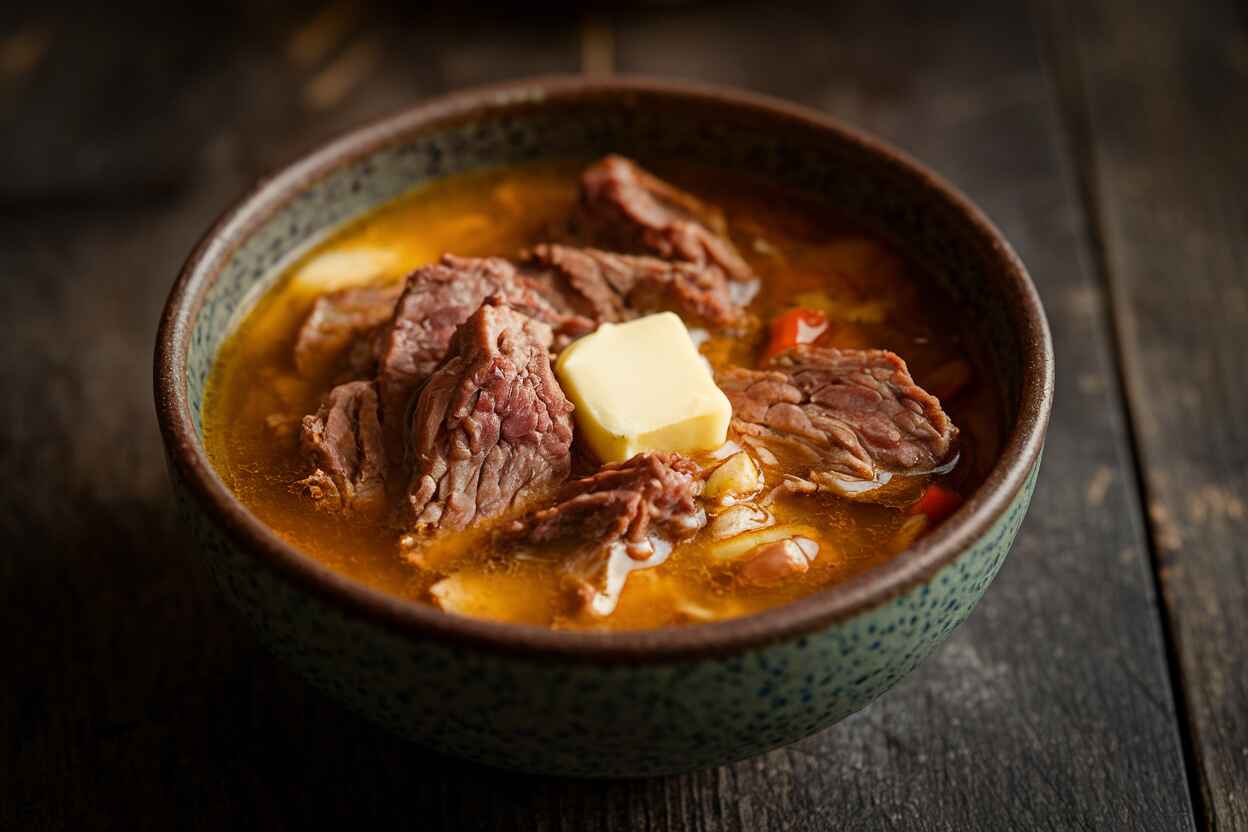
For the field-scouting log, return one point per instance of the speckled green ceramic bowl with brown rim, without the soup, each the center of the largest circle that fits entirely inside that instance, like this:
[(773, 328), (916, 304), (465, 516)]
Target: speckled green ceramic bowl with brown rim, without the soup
[(590, 703)]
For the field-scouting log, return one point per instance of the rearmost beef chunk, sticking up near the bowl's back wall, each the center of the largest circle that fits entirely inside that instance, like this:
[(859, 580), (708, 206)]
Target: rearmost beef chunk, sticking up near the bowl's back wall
[(626, 209)]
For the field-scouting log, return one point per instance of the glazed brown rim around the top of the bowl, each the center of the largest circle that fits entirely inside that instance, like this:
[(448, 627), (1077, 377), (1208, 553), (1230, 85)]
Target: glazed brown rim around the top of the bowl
[(415, 619)]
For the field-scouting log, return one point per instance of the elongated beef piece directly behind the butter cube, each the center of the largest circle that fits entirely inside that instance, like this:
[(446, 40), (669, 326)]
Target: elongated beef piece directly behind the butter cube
[(608, 288)]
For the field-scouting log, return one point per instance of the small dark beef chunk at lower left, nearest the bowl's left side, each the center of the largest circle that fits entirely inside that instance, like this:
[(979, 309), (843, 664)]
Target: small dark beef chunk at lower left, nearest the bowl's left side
[(344, 441)]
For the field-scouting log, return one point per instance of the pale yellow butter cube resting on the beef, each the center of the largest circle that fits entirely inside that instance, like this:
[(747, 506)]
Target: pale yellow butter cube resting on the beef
[(642, 386)]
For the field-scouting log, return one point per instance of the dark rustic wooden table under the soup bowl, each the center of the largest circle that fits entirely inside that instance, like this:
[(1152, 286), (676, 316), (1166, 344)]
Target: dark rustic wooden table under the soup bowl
[(1101, 685)]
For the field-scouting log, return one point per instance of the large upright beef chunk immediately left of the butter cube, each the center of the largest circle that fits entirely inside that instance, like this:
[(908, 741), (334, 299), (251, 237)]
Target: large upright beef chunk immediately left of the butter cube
[(491, 430)]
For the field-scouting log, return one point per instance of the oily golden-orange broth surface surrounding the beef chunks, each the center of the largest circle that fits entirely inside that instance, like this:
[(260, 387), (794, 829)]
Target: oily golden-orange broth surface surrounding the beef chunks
[(804, 255)]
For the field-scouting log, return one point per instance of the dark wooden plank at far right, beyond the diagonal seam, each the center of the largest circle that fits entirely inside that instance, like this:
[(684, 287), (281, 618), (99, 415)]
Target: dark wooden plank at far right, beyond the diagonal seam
[(1158, 100)]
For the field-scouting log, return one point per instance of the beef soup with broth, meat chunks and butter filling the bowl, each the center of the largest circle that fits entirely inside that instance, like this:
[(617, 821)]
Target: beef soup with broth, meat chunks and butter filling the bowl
[(616, 406)]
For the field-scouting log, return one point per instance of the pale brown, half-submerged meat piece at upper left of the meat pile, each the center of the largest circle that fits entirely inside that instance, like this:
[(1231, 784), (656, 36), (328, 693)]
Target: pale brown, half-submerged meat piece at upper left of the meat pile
[(340, 327)]
